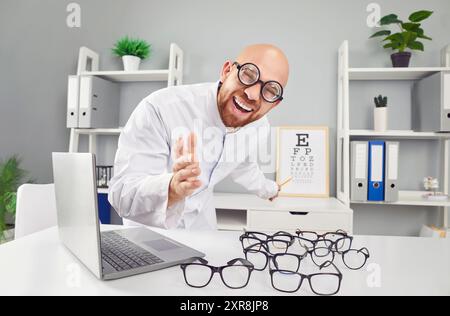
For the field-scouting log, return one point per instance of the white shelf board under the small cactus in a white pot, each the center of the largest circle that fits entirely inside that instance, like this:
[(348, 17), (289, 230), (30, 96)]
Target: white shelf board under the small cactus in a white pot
[(398, 134)]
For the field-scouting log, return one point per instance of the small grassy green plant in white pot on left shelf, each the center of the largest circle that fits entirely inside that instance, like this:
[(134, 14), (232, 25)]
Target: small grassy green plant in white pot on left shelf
[(132, 52)]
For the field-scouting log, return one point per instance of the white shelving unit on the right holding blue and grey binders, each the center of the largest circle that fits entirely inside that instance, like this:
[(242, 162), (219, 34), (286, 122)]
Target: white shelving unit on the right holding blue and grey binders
[(345, 134)]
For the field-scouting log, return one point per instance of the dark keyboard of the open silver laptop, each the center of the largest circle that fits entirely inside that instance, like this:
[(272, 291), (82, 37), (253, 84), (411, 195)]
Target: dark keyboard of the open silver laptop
[(123, 255)]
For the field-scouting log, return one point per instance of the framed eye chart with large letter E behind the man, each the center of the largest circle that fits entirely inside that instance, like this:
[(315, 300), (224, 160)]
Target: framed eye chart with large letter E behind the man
[(303, 155)]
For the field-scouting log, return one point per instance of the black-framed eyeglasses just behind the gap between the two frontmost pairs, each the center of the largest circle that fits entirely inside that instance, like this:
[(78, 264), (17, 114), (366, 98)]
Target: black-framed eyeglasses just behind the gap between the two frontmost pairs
[(260, 258)]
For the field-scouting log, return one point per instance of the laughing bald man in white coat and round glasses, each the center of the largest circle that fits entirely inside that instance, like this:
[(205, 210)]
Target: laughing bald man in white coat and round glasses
[(181, 141)]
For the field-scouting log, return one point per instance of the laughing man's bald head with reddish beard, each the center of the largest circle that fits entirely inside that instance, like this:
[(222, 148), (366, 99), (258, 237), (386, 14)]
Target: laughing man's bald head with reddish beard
[(241, 104)]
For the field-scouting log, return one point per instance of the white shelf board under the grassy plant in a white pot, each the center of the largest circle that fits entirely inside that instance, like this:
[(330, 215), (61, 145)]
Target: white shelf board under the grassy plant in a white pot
[(132, 76)]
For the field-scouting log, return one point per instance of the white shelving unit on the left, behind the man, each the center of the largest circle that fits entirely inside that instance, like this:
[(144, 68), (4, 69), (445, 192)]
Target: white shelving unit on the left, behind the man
[(173, 75)]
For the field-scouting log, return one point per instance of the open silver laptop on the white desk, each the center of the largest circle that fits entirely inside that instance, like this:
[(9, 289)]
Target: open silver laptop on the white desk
[(109, 255)]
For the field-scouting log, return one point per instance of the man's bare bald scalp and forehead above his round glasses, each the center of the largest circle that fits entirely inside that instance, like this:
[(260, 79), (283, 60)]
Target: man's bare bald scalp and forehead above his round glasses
[(270, 59)]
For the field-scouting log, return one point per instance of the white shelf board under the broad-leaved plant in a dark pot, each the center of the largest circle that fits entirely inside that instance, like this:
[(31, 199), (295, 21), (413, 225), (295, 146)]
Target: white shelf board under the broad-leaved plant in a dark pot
[(393, 73)]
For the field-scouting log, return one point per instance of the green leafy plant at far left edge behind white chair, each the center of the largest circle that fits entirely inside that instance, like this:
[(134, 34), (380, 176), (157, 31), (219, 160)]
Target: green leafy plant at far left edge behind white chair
[(11, 177)]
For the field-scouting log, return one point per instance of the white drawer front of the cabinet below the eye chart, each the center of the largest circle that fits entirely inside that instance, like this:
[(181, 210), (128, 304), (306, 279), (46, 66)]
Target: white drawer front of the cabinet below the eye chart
[(290, 221)]
